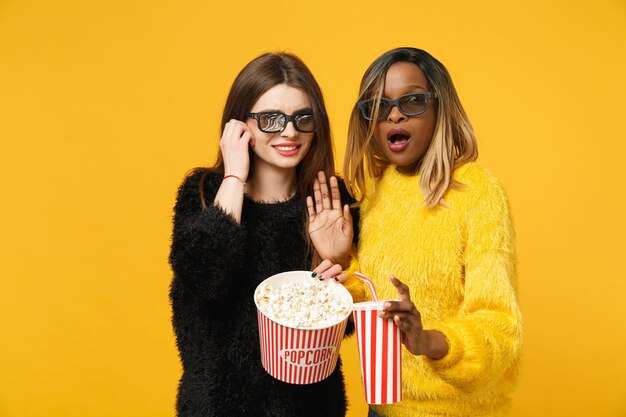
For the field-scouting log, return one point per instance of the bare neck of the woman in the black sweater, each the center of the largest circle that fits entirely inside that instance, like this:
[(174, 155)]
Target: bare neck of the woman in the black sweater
[(271, 183)]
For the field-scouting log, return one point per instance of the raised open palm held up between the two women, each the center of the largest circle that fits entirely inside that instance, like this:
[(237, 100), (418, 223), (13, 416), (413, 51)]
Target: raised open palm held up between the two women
[(330, 224)]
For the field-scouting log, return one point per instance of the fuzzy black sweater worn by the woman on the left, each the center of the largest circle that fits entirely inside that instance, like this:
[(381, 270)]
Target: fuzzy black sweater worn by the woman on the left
[(217, 265)]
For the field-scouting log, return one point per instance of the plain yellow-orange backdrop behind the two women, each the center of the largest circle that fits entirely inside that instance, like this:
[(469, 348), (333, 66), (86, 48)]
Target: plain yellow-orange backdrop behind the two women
[(104, 105)]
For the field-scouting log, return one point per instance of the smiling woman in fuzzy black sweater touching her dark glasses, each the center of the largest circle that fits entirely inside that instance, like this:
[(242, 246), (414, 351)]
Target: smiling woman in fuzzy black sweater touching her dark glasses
[(236, 224)]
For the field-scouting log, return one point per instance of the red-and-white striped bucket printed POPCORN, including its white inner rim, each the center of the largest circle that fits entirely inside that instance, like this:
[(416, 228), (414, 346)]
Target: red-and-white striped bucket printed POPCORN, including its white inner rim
[(300, 355)]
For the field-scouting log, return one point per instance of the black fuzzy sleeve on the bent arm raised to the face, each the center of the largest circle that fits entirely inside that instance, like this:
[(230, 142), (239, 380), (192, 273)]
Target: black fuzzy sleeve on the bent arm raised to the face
[(208, 245)]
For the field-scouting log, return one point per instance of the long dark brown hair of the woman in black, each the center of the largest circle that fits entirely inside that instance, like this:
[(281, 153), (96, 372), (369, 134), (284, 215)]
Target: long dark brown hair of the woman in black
[(257, 77)]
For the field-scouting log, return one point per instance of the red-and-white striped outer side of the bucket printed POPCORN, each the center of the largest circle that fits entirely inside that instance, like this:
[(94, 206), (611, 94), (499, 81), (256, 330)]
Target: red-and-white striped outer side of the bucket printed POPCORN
[(299, 356)]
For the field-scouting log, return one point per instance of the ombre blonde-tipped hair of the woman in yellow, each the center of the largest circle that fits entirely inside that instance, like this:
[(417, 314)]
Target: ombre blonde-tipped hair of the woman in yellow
[(452, 145)]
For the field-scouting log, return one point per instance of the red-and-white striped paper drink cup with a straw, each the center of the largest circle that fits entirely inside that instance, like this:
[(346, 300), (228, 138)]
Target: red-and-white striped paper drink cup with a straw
[(380, 354)]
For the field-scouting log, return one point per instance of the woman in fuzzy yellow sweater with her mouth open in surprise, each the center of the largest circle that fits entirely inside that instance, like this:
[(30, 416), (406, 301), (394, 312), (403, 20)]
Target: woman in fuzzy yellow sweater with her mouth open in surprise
[(441, 225)]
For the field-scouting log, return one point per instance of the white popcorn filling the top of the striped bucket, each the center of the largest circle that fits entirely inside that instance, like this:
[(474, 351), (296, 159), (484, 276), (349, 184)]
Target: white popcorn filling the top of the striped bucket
[(305, 304)]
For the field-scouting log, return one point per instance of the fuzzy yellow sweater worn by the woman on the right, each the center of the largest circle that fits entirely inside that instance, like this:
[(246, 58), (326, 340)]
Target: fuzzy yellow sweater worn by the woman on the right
[(460, 264)]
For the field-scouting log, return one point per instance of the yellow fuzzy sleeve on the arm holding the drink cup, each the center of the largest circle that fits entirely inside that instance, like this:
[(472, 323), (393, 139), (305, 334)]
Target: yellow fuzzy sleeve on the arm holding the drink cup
[(485, 337)]
